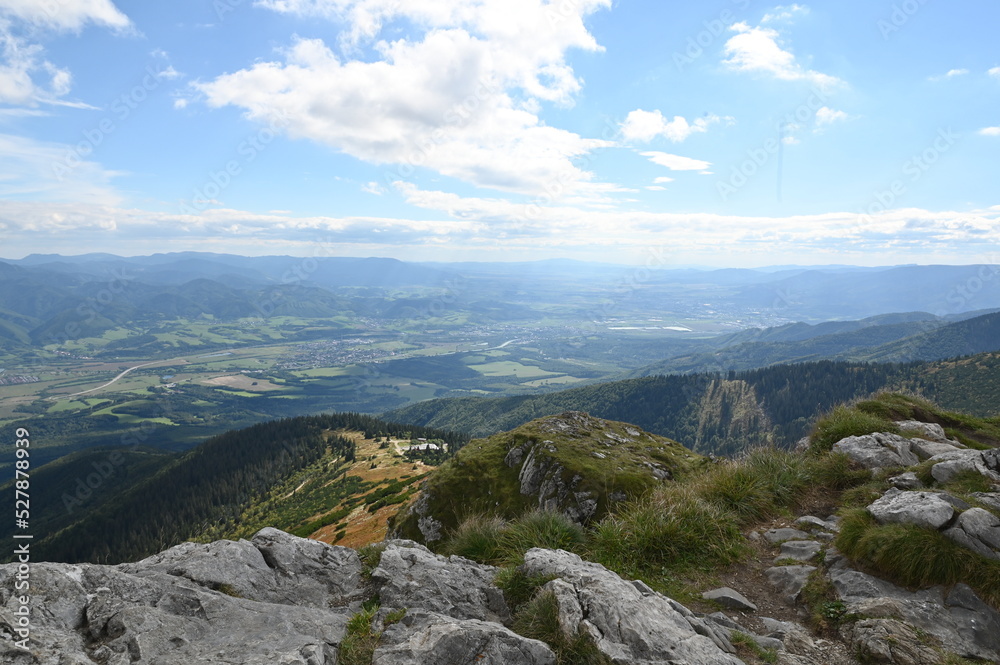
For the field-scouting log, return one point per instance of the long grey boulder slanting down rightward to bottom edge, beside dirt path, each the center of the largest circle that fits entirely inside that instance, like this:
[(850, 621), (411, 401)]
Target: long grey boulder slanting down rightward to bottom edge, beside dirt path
[(628, 625)]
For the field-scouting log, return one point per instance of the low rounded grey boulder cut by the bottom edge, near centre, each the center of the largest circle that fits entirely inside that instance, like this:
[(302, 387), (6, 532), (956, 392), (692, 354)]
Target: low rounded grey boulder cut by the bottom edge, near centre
[(427, 638)]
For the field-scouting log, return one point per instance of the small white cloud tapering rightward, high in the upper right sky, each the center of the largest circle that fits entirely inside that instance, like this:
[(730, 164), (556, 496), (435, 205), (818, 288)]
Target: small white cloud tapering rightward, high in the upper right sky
[(756, 50)]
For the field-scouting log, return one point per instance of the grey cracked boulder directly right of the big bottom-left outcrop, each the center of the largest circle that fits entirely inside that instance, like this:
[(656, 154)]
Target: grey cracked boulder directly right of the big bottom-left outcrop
[(413, 577)]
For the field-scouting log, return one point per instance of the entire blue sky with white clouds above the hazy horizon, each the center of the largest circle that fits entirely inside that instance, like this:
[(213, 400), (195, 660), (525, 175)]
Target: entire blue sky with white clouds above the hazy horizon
[(732, 133)]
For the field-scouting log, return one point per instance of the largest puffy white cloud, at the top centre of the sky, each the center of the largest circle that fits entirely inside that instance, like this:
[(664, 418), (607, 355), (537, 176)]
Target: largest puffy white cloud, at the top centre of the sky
[(462, 99)]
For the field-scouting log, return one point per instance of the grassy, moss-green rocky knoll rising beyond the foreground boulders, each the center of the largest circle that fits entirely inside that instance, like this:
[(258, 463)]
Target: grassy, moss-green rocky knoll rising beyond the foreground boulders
[(571, 463)]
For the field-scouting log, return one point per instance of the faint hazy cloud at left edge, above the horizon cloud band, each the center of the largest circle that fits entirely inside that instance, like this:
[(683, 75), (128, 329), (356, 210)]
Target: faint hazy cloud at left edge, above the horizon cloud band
[(52, 172)]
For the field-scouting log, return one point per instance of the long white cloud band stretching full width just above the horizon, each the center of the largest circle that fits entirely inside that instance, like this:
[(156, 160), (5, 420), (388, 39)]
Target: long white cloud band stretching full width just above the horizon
[(474, 225)]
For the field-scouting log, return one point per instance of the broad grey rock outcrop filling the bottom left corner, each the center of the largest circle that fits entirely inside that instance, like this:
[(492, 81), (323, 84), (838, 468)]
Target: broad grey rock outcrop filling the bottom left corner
[(217, 603)]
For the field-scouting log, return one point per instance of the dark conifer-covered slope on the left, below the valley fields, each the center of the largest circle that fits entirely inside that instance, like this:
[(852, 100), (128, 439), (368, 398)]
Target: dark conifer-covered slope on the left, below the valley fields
[(144, 506)]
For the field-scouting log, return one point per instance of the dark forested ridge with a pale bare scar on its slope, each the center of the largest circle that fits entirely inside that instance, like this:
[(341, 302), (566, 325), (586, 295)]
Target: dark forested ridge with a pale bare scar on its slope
[(722, 413)]
